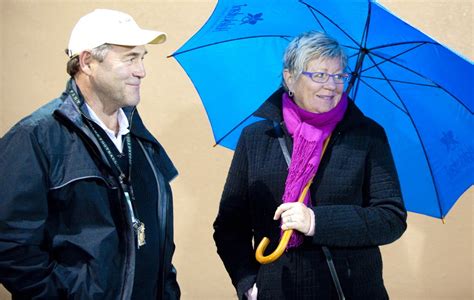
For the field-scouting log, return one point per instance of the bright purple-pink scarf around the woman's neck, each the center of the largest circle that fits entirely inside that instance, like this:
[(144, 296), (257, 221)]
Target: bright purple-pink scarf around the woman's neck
[(309, 131)]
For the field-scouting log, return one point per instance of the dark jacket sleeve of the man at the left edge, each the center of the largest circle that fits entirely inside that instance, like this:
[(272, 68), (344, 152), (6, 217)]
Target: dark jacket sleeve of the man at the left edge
[(26, 269)]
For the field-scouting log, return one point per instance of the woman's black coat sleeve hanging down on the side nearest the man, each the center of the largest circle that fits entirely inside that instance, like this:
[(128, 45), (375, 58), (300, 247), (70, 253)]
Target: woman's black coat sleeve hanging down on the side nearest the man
[(232, 227)]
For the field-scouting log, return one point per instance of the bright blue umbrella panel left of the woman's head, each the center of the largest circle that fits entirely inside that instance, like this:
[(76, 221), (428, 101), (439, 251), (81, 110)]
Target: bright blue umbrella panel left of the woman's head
[(235, 81)]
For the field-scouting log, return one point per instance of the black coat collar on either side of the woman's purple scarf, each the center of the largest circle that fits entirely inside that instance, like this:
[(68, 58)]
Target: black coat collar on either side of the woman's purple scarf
[(271, 110)]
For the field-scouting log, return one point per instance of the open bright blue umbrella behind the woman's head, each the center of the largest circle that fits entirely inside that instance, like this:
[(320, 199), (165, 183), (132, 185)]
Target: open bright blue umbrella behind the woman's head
[(416, 88)]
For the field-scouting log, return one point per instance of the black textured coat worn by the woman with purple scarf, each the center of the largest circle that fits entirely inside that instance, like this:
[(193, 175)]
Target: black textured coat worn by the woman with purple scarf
[(356, 200)]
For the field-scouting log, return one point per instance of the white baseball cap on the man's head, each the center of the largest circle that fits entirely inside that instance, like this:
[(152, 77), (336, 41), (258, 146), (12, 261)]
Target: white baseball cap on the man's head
[(105, 26)]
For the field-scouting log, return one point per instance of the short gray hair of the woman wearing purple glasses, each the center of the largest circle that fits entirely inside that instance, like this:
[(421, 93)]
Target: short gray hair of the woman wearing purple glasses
[(308, 46)]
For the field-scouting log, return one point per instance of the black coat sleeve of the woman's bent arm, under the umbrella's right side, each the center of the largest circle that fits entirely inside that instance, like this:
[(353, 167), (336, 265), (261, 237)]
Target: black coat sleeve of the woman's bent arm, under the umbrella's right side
[(382, 217)]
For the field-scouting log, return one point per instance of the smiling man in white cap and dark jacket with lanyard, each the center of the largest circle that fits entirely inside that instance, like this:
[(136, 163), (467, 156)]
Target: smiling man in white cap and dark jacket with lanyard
[(85, 201)]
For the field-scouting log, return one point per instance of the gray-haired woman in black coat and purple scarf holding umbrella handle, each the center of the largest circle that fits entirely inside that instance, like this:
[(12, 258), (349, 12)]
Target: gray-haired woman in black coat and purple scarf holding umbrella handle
[(354, 203)]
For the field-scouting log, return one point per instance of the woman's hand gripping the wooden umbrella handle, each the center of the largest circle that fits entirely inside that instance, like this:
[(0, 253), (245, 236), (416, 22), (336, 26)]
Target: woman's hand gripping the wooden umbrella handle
[(296, 216)]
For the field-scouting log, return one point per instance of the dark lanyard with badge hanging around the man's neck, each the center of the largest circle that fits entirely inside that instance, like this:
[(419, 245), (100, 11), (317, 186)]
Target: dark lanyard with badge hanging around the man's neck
[(125, 182)]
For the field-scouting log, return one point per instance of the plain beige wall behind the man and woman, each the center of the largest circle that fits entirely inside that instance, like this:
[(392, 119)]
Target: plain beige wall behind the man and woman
[(431, 261)]
